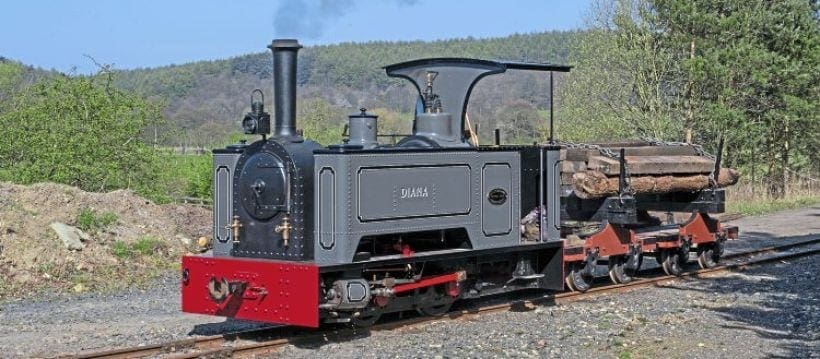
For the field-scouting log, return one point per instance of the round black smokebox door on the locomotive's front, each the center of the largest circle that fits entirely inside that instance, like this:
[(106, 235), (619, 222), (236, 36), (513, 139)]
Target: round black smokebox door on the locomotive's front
[(262, 186)]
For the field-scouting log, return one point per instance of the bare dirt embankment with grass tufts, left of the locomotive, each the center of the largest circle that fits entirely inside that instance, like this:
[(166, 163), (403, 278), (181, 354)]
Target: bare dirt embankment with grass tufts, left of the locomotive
[(130, 239)]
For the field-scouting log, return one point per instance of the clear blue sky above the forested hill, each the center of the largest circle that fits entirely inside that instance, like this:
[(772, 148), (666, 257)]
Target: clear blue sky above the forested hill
[(131, 34)]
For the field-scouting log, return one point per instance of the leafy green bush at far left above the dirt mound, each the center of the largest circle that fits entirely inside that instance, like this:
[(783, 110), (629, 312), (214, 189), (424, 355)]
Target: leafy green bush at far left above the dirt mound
[(78, 131)]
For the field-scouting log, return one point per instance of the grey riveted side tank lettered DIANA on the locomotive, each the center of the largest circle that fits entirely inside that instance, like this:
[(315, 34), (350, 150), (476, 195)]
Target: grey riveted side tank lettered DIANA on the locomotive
[(371, 193)]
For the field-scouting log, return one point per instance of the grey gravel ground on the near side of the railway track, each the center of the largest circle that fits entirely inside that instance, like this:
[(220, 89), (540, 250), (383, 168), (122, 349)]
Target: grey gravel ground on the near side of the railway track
[(764, 312)]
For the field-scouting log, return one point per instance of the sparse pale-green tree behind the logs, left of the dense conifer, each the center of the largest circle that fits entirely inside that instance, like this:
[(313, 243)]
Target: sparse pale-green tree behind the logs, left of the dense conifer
[(623, 84)]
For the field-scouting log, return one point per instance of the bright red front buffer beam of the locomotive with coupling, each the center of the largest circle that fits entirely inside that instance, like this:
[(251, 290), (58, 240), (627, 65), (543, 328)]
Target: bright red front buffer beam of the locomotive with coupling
[(252, 289)]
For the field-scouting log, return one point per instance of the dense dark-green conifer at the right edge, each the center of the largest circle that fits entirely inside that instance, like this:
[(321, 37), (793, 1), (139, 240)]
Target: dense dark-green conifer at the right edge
[(751, 71)]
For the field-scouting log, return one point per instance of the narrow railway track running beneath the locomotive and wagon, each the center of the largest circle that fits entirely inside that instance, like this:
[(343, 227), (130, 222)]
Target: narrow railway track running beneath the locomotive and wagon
[(266, 340)]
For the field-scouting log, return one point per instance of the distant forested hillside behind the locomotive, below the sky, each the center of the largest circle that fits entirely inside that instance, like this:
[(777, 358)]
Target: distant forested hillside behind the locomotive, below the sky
[(207, 98)]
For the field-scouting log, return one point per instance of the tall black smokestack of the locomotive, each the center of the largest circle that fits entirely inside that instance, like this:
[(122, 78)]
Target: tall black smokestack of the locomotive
[(284, 86)]
